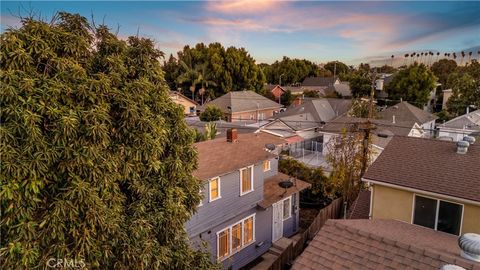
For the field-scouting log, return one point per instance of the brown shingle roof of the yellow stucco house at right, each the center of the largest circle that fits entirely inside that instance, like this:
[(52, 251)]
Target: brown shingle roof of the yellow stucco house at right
[(429, 165)]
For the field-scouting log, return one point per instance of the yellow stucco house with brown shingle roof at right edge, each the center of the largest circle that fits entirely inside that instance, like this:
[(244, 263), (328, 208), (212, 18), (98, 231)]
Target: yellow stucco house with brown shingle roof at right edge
[(426, 182)]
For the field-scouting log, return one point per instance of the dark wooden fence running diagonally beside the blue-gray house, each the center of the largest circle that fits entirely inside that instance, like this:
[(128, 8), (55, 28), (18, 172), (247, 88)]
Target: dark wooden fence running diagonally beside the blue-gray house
[(332, 211)]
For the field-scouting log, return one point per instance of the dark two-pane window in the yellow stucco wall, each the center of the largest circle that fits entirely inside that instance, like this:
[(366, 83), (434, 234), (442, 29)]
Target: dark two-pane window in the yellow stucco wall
[(437, 214)]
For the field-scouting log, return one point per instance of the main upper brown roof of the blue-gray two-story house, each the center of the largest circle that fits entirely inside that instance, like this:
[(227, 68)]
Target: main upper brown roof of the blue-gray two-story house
[(218, 157)]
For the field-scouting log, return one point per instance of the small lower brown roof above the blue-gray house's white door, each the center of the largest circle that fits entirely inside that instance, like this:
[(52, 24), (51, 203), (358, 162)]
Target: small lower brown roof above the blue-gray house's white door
[(272, 192)]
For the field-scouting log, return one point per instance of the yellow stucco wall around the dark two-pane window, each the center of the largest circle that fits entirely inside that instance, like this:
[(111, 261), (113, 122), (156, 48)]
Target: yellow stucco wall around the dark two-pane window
[(390, 203)]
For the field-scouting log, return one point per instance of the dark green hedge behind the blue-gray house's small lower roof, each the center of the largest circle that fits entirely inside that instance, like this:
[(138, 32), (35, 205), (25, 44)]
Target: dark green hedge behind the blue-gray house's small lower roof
[(300, 171)]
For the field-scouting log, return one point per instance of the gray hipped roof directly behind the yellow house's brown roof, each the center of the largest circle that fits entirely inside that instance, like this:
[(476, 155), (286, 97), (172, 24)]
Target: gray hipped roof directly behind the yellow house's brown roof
[(406, 112)]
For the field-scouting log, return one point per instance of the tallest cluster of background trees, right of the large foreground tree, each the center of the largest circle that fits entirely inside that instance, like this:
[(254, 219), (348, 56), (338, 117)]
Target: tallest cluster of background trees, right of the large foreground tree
[(221, 70)]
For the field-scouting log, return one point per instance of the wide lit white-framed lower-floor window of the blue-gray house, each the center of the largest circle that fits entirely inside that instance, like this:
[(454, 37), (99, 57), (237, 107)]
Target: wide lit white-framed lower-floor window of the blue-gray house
[(236, 237)]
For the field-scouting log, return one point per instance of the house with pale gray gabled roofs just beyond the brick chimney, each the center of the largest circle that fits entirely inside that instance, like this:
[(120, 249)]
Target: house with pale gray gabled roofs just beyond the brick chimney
[(303, 121)]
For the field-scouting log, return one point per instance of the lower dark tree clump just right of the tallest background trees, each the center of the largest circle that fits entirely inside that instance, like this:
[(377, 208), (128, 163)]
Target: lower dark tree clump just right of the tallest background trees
[(293, 70)]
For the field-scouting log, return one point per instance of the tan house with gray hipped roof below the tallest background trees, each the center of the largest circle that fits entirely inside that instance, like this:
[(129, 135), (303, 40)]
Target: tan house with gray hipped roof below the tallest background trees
[(245, 106)]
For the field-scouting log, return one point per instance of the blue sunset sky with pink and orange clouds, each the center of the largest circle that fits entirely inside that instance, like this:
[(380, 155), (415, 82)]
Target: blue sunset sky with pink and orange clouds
[(320, 31)]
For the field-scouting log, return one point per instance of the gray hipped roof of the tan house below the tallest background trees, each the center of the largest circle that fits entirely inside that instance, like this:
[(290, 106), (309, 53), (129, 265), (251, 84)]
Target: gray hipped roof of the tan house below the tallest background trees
[(242, 101)]
